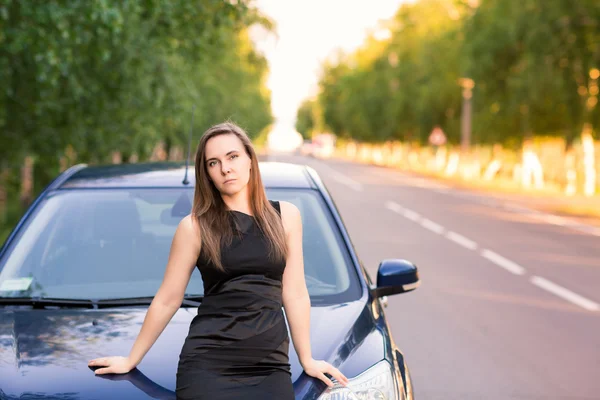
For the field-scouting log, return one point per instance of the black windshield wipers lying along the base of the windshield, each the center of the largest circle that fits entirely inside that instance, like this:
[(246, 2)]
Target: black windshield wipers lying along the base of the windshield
[(43, 302)]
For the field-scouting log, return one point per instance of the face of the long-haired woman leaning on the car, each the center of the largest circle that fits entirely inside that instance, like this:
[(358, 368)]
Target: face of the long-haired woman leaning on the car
[(227, 163)]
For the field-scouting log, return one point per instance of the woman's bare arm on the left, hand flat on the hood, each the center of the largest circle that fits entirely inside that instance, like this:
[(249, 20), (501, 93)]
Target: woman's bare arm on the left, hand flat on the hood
[(183, 255)]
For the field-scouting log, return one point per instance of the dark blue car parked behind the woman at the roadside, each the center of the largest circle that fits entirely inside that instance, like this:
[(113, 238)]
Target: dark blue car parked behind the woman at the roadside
[(80, 269)]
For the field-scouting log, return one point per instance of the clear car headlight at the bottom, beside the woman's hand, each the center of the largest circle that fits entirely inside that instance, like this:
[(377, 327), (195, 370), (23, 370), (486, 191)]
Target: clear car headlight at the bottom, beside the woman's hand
[(376, 383)]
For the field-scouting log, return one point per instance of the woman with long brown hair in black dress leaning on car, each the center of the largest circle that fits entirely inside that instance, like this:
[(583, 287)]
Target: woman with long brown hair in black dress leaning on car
[(249, 252)]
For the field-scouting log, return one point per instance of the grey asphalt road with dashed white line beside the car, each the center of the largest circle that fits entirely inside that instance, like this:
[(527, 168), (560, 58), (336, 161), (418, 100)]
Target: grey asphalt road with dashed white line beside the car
[(509, 303)]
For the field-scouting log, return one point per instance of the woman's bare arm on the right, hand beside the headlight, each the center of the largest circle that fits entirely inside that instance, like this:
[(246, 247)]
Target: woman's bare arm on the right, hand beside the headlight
[(296, 300)]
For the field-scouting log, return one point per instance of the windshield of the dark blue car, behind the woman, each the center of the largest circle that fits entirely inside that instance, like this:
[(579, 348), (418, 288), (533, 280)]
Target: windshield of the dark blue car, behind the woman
[(114, 243)]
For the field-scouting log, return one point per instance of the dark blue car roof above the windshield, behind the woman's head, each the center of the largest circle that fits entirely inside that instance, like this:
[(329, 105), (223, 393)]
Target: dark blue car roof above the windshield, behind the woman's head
[(171, 174)]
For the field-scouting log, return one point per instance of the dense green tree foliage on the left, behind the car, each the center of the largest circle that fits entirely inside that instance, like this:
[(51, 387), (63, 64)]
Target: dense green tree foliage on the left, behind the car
[(82, 79)]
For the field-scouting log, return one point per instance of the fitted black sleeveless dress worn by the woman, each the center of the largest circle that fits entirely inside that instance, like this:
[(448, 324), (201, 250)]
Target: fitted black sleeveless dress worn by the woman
[(237, 345)]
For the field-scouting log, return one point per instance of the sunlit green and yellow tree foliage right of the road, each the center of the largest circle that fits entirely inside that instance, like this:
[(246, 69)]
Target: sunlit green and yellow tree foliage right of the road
[(533, 63)]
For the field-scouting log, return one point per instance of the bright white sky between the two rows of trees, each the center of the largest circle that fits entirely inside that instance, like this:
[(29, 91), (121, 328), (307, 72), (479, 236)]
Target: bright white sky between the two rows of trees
[(308, 31)]
